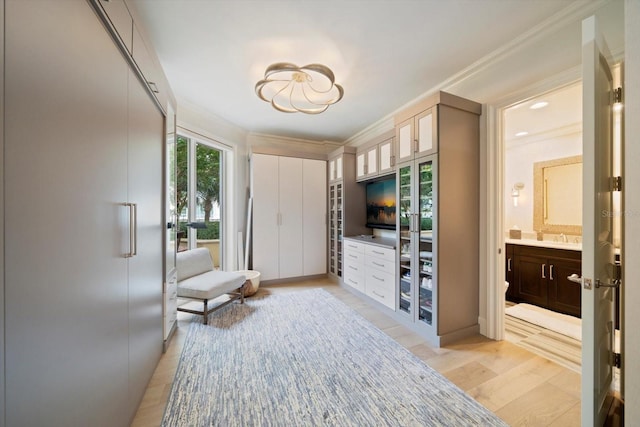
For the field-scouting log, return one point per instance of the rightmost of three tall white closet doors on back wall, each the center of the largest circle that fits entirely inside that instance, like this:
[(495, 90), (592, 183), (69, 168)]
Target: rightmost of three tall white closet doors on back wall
[(314, 214)]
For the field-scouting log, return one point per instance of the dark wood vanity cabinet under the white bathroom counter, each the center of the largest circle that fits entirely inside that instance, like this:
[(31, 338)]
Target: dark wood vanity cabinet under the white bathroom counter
[(538, 276)]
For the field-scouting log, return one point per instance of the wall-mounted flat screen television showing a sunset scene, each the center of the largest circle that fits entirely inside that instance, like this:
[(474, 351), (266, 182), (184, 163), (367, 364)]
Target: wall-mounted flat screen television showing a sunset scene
[(381, 203)]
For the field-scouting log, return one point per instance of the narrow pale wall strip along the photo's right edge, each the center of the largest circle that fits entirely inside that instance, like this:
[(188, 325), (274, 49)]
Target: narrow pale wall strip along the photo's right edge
[(631, 249)]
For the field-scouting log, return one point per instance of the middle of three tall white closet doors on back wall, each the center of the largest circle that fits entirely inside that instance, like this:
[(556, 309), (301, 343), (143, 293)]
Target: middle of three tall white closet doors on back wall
[(290, 234)]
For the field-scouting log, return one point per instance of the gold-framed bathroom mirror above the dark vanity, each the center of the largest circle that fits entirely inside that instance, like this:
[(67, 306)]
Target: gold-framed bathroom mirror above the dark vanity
[(557, 206)]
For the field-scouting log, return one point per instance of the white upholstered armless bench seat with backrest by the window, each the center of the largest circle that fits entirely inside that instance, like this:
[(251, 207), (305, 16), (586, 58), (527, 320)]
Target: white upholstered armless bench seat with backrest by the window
[(198, 280)]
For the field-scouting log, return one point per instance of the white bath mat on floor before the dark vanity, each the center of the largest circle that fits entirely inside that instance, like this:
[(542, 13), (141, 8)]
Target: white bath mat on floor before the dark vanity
[(557, 322)]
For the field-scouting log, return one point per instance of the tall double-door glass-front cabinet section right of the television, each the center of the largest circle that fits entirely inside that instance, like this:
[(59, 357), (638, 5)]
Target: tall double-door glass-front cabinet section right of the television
[(416, 208)]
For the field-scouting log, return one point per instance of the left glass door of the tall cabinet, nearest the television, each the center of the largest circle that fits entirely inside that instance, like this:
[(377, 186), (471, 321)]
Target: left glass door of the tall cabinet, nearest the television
[(405, 230)]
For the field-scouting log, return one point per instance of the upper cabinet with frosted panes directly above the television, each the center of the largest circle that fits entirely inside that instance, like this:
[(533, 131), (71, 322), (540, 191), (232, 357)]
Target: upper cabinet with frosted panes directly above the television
[(376, 157)]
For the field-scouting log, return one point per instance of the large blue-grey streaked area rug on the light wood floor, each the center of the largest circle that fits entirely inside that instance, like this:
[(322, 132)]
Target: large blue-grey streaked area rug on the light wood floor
[(305, 359)]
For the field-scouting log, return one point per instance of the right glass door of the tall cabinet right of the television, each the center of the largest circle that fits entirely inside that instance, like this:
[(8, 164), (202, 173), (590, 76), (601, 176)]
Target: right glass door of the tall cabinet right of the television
[(425, 242)]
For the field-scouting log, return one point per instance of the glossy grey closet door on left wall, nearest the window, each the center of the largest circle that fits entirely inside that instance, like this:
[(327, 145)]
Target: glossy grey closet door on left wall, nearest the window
[(145, 268)]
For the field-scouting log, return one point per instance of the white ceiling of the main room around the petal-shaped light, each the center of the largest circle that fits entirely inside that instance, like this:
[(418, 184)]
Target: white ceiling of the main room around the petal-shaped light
[(384, 53)]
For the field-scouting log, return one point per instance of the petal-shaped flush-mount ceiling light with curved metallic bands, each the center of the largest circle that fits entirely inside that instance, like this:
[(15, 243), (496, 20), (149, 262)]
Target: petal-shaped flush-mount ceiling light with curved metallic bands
[(290, 89)]
